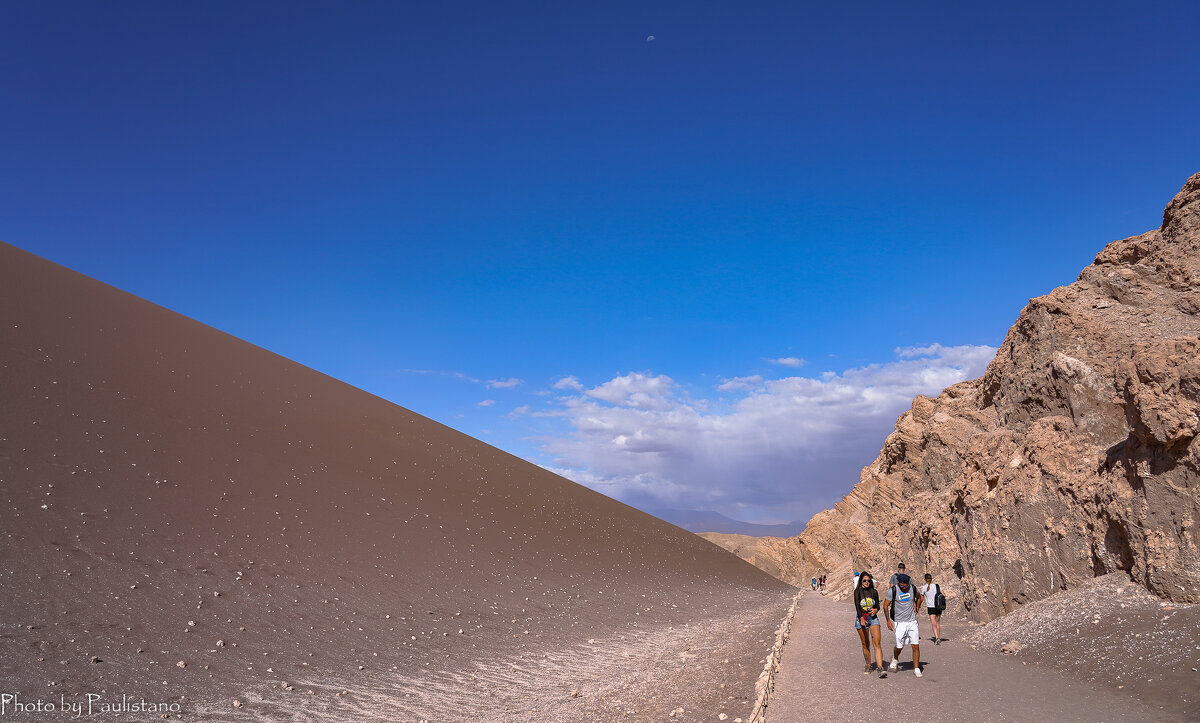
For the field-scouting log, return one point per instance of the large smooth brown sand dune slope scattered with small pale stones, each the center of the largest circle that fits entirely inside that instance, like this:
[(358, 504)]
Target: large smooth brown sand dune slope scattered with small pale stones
[(193, 519)]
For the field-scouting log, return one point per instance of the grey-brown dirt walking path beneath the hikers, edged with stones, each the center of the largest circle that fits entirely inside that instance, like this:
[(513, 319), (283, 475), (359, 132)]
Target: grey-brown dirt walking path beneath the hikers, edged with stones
[(821, 679)]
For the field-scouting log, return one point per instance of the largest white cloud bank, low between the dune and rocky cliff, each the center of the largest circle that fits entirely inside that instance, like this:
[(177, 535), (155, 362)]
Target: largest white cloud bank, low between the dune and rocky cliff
[(794, 445)]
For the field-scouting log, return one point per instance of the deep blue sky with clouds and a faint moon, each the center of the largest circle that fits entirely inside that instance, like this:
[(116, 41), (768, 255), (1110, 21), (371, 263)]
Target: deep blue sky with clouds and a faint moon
[(422, 199)]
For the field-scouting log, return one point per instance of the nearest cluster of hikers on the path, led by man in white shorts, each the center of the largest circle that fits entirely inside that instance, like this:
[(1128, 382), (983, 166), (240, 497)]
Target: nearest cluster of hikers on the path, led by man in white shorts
[(901, 605)]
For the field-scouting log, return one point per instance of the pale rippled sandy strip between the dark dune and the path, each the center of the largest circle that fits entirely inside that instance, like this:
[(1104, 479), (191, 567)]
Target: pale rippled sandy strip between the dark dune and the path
[(634, 676)]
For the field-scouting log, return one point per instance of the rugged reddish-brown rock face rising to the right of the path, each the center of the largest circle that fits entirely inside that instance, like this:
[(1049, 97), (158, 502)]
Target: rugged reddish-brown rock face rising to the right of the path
[(1076, 456)]
